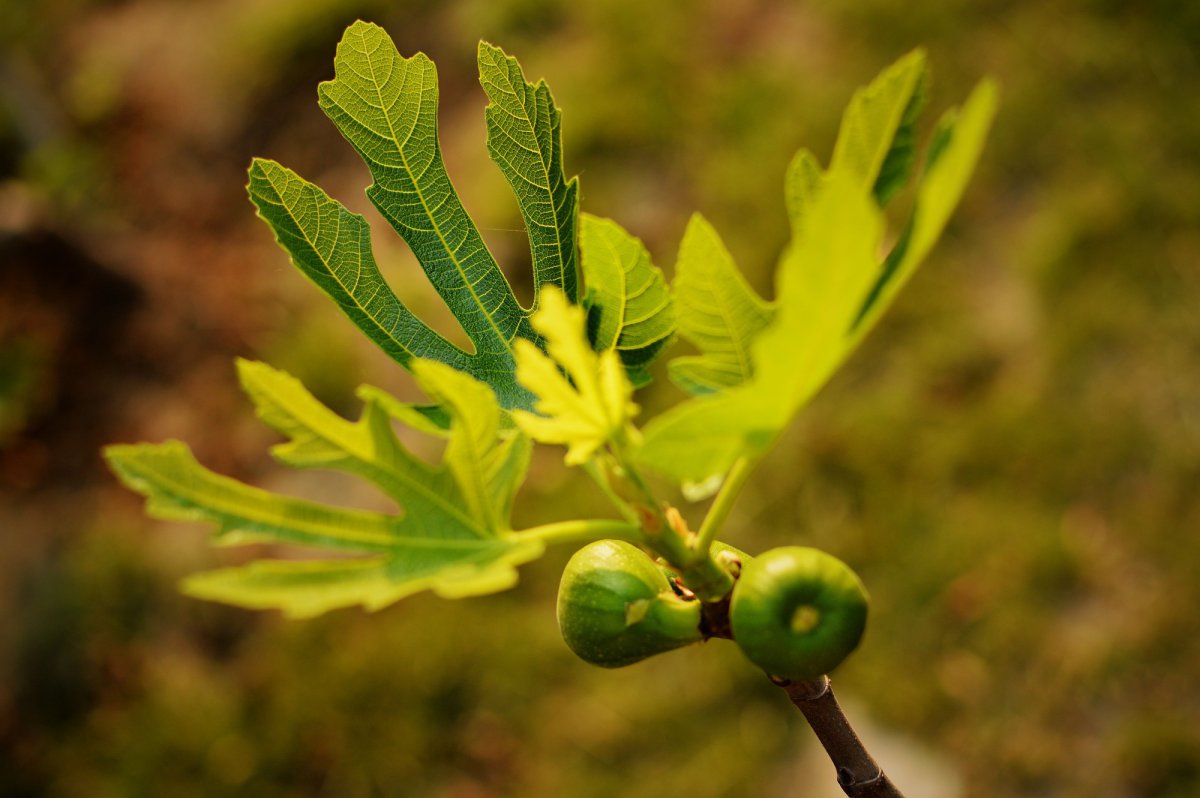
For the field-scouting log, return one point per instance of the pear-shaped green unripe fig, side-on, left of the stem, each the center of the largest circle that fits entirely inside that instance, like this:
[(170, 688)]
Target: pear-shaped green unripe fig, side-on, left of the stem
[(616, 607)]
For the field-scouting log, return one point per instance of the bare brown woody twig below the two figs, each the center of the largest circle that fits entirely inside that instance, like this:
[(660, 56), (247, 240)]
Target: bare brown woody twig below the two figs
[(859, 775)]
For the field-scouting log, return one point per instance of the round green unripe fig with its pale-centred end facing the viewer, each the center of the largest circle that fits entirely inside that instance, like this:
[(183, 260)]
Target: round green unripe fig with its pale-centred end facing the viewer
[(797, 613)]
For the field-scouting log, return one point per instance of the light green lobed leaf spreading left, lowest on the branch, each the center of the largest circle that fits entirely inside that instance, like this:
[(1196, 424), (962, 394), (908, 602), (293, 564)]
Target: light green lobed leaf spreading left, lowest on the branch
[(453, 538)]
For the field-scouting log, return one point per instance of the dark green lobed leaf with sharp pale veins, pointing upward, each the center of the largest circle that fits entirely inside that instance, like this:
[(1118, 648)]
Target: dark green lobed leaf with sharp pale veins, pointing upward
[(386, 106)]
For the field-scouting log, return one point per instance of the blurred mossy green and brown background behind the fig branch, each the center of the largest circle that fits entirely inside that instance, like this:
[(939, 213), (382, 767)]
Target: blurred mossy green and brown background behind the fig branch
[(1012, 463)]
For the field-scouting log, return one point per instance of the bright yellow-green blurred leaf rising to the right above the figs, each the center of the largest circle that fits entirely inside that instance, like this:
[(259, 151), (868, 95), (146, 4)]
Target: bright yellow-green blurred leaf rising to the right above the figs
[(832, 285)]
